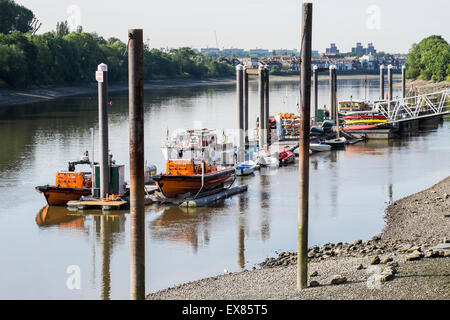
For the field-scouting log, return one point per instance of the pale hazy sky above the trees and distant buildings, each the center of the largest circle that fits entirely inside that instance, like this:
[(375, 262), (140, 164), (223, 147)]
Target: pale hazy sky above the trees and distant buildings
[(391, 25)]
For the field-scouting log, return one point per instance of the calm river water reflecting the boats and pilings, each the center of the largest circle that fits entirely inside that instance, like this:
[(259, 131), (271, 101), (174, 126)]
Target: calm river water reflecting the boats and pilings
[(44, 251)]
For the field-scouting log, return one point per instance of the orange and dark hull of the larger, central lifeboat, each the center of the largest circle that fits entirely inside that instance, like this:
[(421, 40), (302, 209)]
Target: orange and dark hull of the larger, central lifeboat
[(173, 185)]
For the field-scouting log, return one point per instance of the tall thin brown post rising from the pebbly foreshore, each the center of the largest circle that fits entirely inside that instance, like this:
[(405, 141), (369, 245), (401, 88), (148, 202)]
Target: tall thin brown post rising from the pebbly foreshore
[(303, 177)]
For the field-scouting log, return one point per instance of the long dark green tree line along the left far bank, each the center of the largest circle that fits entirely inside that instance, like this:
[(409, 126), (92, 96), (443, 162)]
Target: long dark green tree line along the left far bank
[(61, 57)]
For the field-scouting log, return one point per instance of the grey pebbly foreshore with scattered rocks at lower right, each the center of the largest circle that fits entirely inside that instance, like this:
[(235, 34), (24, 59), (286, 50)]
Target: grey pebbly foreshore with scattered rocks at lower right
[(402, 262)]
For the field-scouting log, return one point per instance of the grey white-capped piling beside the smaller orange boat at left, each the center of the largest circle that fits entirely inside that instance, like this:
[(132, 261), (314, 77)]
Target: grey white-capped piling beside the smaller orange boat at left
[(102, 79)]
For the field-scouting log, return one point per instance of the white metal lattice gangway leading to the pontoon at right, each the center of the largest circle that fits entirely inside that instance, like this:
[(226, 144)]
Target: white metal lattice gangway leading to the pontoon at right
[(415, 107)]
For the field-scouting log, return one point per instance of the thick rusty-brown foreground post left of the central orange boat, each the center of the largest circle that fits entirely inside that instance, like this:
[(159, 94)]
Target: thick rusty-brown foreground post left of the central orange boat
[(137, 210)]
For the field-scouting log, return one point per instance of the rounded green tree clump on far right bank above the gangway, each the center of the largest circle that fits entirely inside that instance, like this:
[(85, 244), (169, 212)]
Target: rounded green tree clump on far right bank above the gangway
[(429, 60)]
